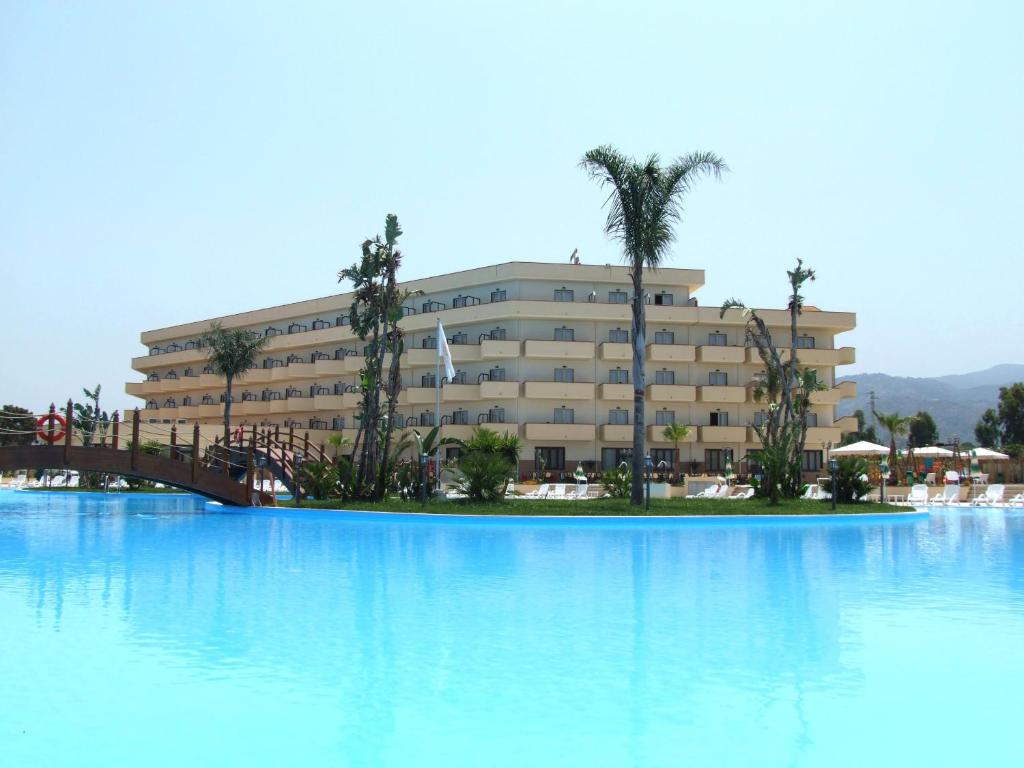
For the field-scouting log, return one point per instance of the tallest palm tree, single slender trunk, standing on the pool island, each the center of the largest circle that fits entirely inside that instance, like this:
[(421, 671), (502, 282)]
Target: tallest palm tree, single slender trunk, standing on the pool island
[(645, 204)]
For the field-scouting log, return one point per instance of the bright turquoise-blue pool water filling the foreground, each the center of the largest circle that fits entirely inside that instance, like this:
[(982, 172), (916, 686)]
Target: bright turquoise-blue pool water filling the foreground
[(159, 632)]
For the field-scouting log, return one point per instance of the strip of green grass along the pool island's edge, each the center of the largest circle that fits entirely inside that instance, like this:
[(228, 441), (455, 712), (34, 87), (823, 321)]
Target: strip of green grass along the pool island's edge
[(659, 507)]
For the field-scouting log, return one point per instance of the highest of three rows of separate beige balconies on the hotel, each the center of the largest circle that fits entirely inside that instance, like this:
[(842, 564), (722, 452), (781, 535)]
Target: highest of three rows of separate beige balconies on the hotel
[(493, 350)]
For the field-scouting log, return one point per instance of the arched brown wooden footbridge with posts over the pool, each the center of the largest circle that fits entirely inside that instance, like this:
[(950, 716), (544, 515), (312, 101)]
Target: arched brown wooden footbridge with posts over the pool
[(225, 474)]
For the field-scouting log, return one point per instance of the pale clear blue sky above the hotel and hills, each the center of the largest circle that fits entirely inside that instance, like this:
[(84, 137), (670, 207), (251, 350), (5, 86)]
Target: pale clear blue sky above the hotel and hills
[(162, 163)]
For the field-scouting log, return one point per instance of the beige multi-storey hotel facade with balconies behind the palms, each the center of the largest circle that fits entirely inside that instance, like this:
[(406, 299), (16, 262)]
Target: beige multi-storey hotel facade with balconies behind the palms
[(540, 350)]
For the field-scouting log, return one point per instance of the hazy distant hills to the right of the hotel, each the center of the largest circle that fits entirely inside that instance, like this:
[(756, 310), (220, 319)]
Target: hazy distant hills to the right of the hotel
[(956, 402)]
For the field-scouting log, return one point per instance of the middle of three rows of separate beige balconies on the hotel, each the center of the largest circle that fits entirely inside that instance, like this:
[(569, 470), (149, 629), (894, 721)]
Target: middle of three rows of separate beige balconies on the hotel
[(498, 391)]
